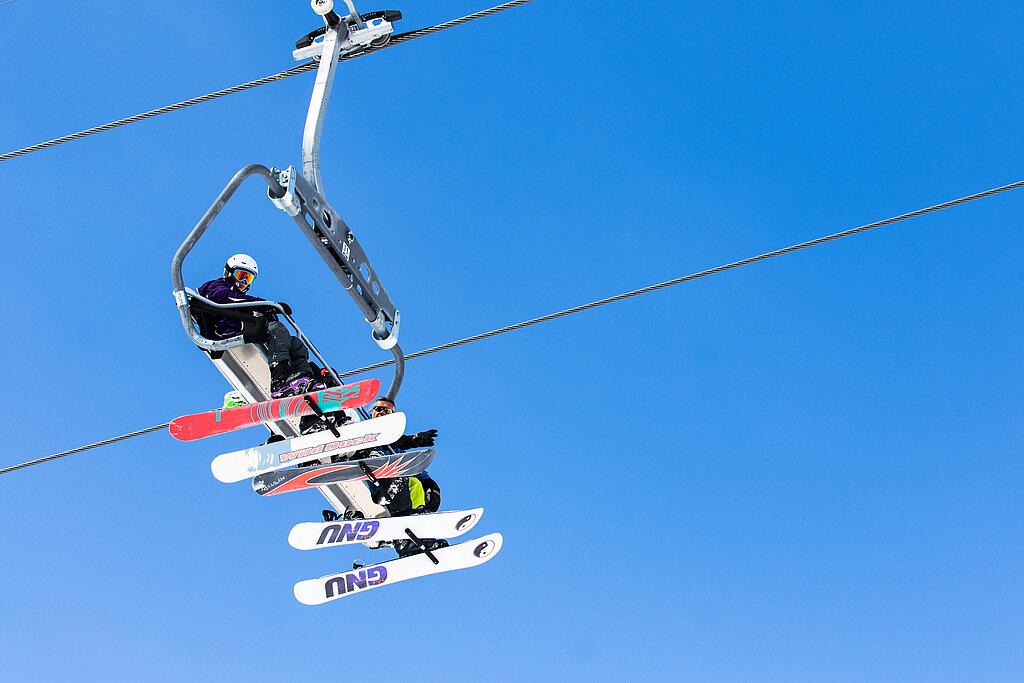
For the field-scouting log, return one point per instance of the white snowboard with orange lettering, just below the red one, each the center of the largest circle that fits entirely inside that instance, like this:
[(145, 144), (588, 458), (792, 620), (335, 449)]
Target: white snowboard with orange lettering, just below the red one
[(241, 465)]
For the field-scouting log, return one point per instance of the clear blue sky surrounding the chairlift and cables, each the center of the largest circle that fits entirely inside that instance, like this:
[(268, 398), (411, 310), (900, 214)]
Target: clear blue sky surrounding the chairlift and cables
[(807, 469)]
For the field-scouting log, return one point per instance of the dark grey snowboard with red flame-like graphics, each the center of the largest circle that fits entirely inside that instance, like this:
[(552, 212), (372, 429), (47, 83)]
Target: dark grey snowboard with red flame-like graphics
[(381, 467)]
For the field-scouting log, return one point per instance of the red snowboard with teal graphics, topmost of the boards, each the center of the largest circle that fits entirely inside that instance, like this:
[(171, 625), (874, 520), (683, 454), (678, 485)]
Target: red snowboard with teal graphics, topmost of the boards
[(201, 425)]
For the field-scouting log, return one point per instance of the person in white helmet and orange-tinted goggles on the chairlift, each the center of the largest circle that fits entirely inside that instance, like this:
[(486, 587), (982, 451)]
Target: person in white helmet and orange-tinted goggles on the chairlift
[(290, 371)]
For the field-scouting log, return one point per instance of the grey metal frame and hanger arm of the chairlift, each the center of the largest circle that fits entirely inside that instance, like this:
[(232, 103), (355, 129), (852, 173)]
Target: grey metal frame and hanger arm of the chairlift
[(300, 195)]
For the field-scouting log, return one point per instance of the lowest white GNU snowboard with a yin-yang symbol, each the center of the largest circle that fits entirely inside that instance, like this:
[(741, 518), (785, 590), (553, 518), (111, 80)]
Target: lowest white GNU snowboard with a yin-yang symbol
[(471, 553)]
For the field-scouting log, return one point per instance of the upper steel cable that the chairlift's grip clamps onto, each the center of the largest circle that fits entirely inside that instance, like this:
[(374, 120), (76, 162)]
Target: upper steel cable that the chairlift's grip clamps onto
[(288, 73)]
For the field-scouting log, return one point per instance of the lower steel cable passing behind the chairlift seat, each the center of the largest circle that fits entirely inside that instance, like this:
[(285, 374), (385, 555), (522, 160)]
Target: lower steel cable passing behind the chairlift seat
[(595, 305)]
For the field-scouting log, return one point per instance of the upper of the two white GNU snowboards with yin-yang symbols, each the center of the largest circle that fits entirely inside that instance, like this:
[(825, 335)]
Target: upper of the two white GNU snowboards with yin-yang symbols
[(310, 536)]
